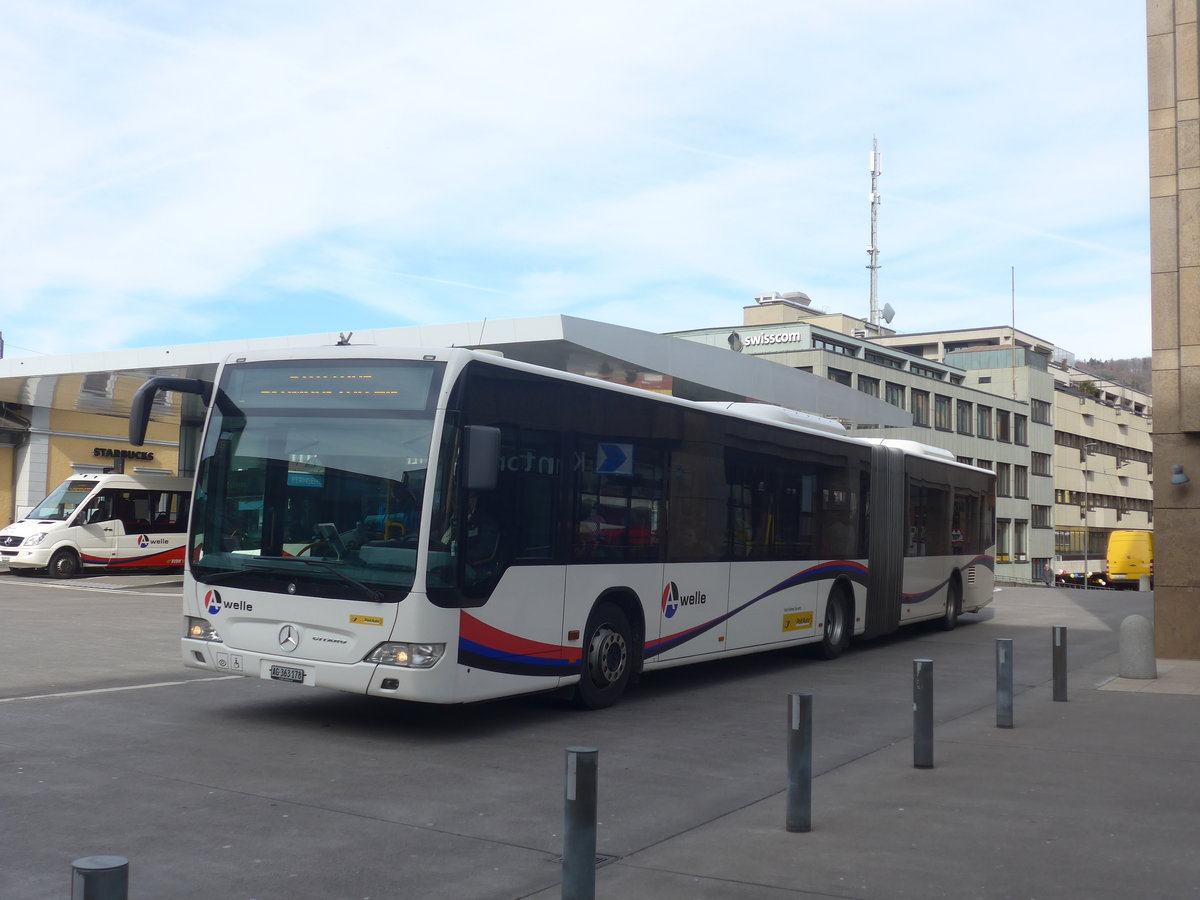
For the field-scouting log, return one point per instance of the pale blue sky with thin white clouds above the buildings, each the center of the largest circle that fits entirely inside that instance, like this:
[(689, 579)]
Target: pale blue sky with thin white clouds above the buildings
[(179, 172)]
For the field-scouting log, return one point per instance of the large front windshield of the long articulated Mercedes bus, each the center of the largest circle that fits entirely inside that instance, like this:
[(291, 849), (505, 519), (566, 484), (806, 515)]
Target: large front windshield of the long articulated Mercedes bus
[(311, 478)]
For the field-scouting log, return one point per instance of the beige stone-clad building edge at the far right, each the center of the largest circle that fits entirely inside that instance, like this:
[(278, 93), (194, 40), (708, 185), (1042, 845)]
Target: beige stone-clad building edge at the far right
[(1174, 70)]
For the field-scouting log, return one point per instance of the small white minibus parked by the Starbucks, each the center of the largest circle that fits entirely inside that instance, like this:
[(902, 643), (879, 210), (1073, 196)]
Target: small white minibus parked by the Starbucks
[(118, 523)]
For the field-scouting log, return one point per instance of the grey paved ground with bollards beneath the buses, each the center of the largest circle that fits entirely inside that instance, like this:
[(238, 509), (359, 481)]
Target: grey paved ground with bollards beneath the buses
[(256, 791)]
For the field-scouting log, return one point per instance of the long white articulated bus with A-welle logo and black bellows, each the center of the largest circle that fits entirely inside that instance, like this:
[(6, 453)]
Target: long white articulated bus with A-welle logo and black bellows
[(449, 526)]
